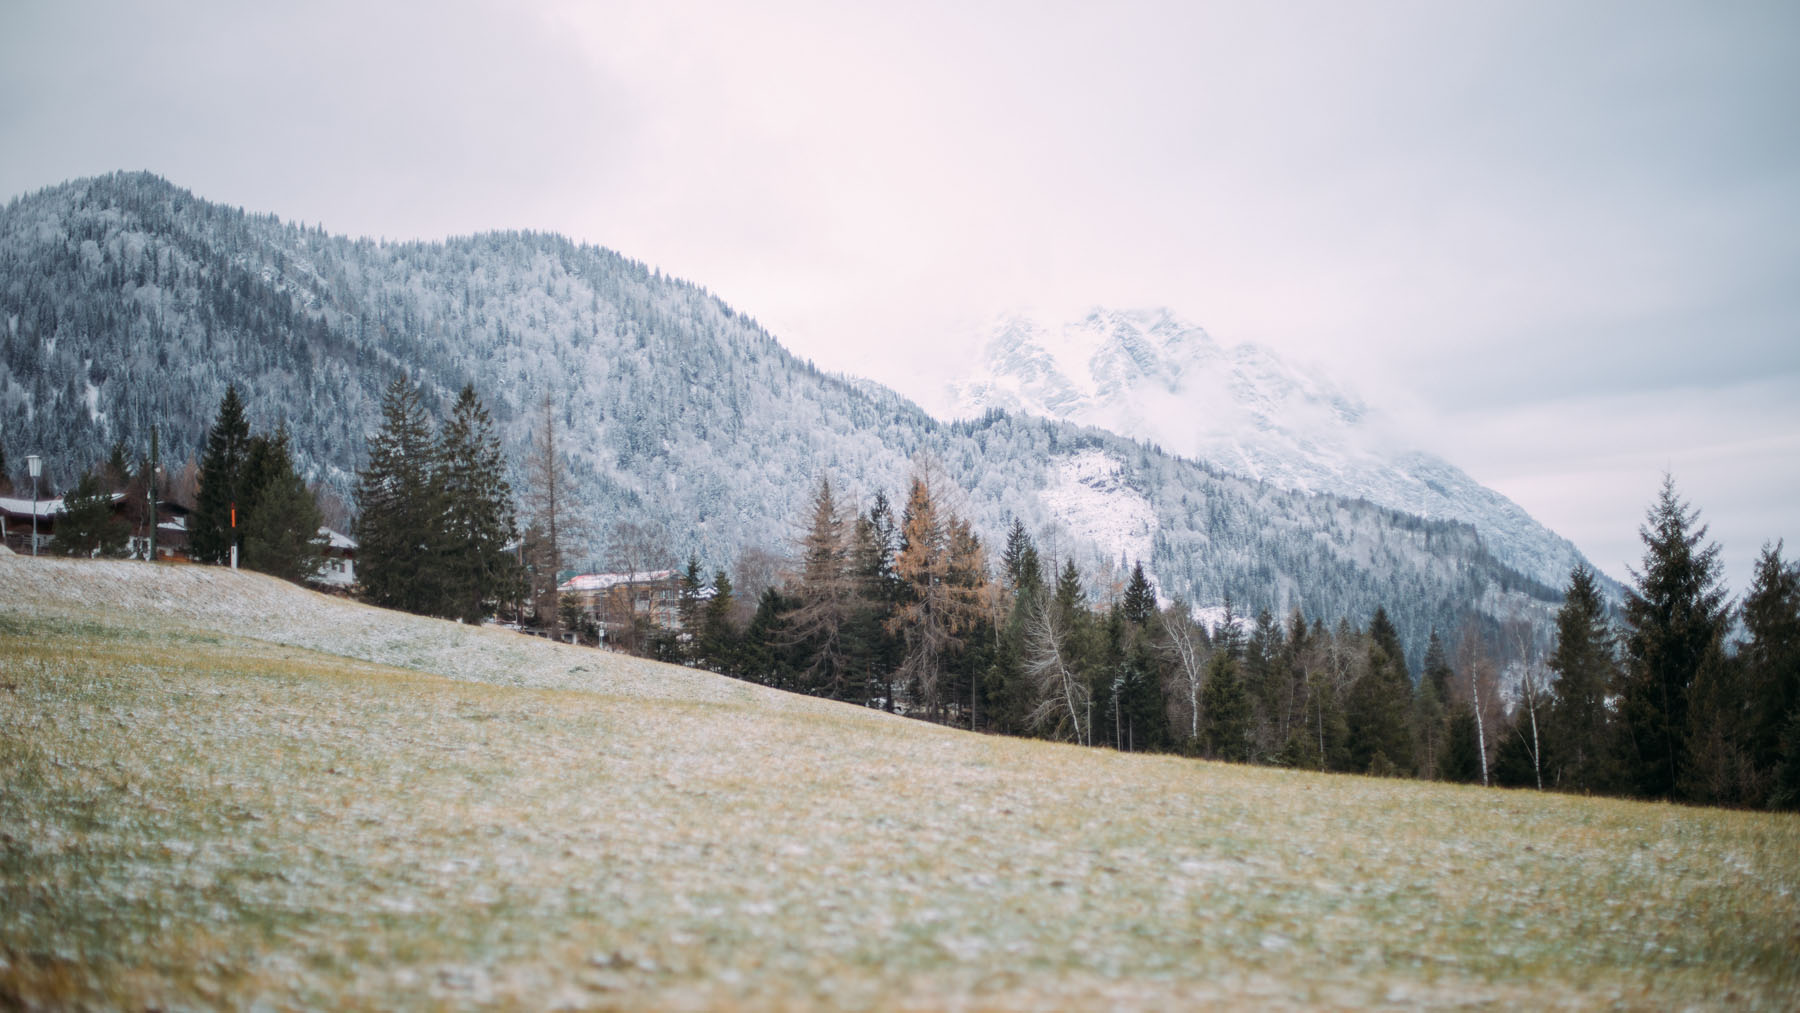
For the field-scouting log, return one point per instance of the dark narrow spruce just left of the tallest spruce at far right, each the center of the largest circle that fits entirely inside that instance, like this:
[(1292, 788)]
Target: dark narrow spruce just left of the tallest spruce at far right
[(1581, 728)]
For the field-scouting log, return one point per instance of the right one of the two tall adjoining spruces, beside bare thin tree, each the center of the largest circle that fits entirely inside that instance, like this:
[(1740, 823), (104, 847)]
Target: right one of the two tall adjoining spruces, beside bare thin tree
[(478, 514)]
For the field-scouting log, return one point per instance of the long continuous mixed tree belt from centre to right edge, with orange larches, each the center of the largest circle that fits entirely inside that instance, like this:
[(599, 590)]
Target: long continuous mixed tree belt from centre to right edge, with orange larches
[(912, 614)]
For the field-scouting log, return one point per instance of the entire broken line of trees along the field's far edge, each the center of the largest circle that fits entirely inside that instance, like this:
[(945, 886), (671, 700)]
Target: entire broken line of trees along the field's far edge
[(1682, 695)]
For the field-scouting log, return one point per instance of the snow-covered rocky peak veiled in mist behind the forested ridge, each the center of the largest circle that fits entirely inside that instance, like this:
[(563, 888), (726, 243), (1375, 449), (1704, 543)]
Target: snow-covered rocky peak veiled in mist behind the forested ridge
[(1149, 375)]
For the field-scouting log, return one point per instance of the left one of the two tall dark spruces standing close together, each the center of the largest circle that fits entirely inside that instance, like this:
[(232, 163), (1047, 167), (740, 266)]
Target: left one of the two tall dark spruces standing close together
[(402, 510)]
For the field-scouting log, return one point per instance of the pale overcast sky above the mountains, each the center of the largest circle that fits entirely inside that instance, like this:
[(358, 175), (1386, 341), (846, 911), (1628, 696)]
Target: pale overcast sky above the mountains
[(1561, 242)]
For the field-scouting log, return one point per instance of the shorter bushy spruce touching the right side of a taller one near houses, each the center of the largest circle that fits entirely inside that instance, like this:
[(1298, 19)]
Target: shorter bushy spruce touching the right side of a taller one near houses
[(282, 521)]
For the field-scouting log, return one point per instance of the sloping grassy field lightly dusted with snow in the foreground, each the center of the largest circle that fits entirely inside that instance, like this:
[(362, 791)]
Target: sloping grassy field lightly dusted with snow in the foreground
[(222, 791)]
